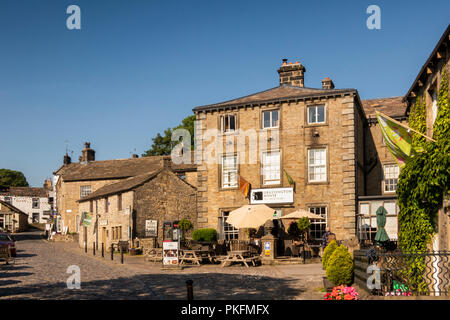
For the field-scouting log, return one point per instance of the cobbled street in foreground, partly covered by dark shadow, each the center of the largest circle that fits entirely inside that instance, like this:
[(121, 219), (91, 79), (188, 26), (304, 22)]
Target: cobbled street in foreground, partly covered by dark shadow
[(40, 272)]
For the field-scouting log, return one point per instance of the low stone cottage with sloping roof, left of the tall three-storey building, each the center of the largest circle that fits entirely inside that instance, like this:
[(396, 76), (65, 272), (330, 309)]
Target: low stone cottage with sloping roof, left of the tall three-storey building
[(123, 210)]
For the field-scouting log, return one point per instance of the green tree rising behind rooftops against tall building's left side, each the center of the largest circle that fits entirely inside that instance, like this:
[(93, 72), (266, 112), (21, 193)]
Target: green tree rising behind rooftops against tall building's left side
[(163, 144)]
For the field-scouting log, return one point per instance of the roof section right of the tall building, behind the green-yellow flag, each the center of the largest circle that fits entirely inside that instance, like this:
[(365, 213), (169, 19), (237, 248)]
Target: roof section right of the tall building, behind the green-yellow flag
[(393, 107)]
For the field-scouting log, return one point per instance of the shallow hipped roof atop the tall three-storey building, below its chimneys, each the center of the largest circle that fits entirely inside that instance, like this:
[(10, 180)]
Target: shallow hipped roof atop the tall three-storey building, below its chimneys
[(277, 94)]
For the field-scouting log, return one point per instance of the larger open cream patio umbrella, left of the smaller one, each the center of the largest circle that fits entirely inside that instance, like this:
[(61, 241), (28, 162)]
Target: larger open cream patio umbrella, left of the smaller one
[(250, 216)]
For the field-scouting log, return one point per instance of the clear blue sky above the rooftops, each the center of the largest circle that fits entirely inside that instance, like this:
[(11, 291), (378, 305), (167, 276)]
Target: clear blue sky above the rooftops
[(137, 67)]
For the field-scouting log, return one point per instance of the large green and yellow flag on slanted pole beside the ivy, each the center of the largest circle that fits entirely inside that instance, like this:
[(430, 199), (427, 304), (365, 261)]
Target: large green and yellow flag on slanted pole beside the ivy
[(398, 138)]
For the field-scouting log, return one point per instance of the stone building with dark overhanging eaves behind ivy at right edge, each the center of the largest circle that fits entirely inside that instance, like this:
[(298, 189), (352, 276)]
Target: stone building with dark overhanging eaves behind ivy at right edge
[(426, 85)]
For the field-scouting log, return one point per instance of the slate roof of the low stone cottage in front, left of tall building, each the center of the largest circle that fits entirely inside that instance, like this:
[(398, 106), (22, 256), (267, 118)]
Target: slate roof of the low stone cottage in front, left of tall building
[(127, 184)]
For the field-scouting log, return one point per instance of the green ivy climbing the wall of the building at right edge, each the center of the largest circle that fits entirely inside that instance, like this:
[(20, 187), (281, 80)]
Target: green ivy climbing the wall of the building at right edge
[(422, 183)]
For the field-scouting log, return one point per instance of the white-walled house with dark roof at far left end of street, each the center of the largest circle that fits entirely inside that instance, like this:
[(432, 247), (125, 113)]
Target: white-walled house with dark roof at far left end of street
[(35, 202)]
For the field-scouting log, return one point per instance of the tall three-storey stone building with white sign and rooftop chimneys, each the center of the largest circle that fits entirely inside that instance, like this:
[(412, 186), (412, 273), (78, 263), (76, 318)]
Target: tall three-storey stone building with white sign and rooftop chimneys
[(314, 136)]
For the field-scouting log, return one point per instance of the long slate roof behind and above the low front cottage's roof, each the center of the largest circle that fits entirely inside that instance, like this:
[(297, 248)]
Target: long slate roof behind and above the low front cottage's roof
[(118, 168)]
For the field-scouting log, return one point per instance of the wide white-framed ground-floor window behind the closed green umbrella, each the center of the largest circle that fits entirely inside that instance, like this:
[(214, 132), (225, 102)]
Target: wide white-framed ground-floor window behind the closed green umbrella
[(367, 219)]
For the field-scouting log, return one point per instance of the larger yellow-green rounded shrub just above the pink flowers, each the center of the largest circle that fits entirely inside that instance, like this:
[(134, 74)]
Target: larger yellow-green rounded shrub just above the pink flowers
[(340, 267)]
